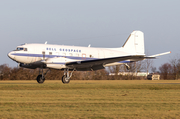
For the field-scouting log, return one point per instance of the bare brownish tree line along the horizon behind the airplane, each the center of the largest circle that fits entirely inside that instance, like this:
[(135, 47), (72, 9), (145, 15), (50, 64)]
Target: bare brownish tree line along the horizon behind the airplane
[(169, 70)]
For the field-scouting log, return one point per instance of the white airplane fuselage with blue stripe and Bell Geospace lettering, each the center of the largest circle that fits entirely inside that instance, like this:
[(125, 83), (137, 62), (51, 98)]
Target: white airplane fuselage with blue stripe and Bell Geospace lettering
[(55, 56)]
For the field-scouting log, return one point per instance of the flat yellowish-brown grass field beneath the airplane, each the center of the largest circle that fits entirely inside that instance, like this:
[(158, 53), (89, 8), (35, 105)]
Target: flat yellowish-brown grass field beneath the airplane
[(90, 99)]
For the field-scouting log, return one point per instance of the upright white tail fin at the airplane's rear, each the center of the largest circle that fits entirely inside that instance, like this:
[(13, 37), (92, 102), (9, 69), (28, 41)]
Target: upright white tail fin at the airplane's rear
[(135, 43)]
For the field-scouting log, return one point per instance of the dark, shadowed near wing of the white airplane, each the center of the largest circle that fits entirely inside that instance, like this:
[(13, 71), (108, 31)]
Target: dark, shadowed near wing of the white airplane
[(99, 63)]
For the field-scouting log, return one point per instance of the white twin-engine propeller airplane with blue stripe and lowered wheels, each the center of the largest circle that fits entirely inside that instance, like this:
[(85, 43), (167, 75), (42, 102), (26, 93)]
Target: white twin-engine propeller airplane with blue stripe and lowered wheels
[(76, 58)]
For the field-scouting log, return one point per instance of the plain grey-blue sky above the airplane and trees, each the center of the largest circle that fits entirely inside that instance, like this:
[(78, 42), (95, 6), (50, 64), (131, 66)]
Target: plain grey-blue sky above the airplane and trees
[(101, 23)]
